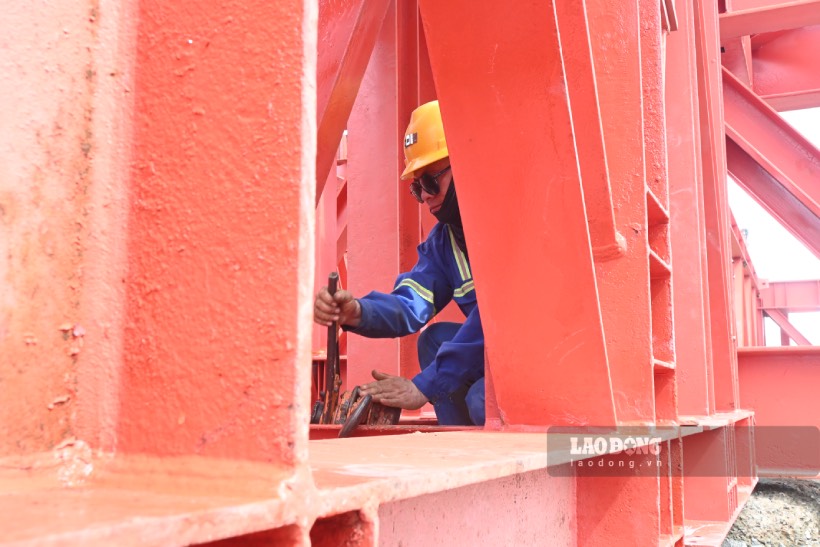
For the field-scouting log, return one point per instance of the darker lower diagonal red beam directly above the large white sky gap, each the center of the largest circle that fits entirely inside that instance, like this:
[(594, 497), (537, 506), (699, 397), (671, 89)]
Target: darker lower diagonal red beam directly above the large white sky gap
[(773, 196)]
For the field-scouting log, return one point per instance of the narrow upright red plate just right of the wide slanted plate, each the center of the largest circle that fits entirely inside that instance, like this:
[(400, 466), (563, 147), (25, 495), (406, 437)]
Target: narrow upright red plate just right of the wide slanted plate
[(627, 327)]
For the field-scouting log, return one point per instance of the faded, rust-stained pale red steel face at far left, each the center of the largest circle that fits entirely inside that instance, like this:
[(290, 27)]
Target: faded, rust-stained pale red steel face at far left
[(51, 202)]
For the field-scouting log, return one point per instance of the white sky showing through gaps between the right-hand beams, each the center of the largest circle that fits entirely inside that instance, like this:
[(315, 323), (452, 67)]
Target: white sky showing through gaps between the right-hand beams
[(775, 253)]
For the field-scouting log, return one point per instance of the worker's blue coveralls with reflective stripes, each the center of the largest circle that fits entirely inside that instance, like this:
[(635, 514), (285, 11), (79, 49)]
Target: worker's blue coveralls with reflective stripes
[(451, 355)]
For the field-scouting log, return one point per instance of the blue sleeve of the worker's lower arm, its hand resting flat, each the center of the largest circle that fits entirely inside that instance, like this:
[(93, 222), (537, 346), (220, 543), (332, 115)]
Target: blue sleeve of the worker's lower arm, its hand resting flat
[(458, 362)]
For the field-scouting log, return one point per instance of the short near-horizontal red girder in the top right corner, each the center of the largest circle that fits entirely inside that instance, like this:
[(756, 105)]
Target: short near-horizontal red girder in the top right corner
[(781, 16)]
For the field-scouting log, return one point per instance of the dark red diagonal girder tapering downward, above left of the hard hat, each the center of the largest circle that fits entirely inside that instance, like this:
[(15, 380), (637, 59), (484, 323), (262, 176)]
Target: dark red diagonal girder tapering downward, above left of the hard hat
[(347, 34)]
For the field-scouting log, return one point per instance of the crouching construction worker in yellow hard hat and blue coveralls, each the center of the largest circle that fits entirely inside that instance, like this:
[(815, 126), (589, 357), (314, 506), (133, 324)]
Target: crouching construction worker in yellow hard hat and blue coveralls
[(451, 355)]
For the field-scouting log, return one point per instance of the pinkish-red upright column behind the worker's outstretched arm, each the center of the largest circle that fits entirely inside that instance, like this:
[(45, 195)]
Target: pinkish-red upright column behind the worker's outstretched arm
[(373, 191)]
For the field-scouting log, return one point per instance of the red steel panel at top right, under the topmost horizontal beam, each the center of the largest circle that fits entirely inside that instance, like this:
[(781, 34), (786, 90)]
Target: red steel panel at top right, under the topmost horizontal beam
[(787, 71)]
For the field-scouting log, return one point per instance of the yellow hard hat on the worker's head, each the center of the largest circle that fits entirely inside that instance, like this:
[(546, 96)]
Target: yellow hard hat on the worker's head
[(424, 141)]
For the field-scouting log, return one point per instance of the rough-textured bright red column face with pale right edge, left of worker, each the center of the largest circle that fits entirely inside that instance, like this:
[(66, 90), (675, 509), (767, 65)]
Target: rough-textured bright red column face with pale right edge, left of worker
[(220, 239)]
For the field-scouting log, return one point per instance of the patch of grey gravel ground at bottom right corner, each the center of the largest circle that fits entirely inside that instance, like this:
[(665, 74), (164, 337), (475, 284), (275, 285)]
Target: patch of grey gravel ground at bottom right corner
[(780, 513)]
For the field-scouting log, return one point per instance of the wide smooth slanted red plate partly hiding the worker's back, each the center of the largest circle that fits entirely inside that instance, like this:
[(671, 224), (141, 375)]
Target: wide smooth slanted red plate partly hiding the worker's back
[(554, 369)]
